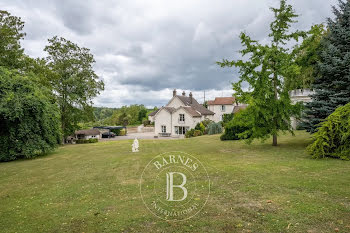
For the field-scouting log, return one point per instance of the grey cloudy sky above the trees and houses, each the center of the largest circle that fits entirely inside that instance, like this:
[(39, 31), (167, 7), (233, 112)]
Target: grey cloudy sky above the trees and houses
[(146, 48)]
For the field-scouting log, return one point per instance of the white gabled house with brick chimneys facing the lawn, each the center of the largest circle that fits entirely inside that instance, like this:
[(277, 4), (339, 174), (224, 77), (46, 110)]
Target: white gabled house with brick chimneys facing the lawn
[(179, 115)]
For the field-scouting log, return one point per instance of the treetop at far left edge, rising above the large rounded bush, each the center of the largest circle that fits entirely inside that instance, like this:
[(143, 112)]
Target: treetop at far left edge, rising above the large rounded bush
[(11, 52)]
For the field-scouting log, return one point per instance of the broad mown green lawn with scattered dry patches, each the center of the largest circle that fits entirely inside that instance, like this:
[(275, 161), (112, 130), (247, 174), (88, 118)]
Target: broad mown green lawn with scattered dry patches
[(95, 188)]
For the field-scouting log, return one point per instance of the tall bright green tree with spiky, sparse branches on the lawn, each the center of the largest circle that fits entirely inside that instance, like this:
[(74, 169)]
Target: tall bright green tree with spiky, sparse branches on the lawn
[(265, 72)]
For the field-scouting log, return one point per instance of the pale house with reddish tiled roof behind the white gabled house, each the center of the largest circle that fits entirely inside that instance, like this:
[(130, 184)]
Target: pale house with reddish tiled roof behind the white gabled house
[(224, 105)]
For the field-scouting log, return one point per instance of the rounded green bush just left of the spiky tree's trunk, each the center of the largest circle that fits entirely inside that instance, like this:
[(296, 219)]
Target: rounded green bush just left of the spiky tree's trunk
[(240, 127)]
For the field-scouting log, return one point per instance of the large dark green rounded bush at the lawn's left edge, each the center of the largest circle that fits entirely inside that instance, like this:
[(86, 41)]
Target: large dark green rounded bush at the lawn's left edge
[(29, 120)]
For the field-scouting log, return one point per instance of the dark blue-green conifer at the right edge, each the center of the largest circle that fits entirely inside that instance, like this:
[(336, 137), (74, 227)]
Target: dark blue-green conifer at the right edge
[(332, 85)]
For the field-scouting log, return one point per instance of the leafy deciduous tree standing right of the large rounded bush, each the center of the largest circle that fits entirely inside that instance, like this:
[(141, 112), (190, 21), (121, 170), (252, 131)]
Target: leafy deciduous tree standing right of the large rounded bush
[(73, 81)]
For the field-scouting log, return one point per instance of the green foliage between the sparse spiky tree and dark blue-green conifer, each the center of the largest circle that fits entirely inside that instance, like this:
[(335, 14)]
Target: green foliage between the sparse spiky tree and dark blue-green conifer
[(307, 57)]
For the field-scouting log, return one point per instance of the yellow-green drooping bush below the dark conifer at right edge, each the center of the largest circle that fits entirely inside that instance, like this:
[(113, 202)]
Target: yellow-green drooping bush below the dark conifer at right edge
[(333, 136)]
